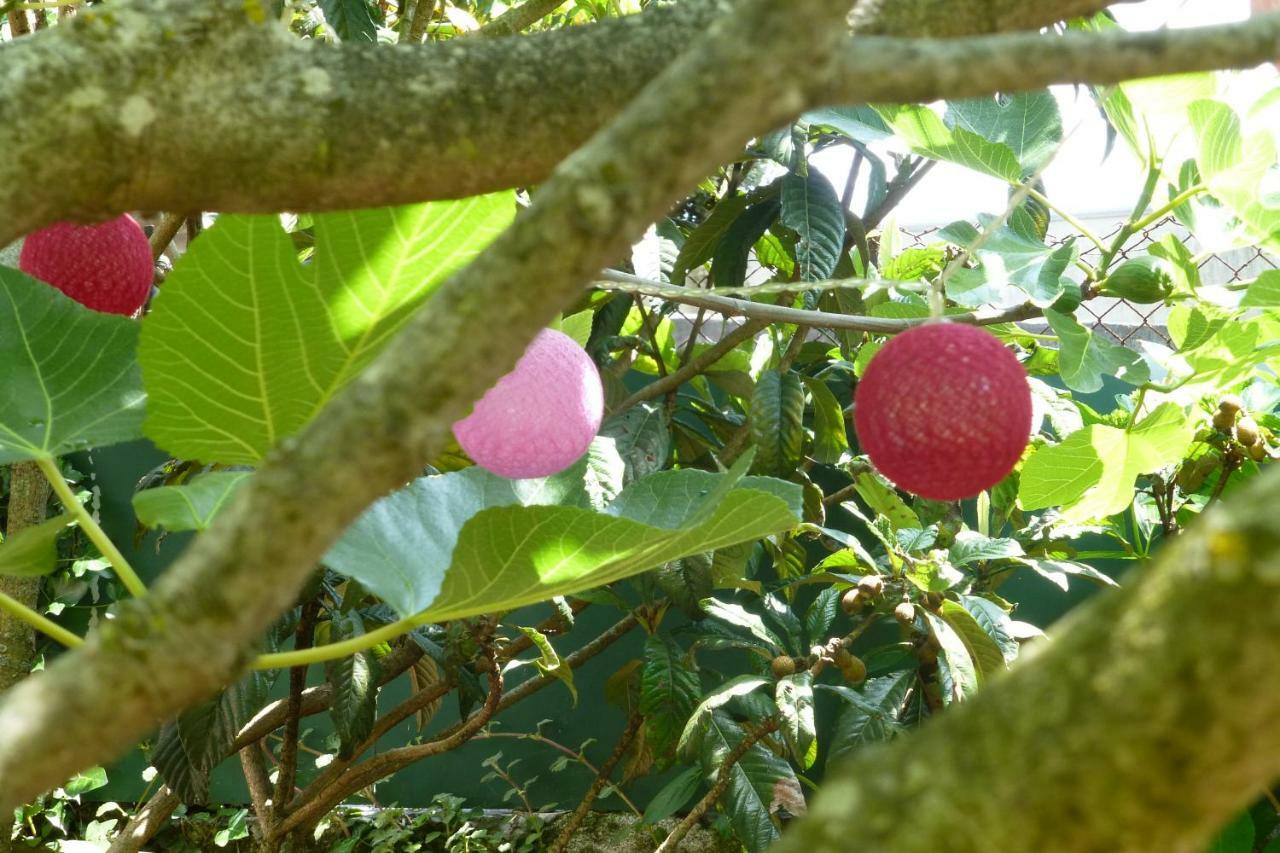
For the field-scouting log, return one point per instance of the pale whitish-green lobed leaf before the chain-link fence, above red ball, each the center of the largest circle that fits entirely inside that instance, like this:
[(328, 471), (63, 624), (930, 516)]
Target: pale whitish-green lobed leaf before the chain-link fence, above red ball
[(1008, 259)]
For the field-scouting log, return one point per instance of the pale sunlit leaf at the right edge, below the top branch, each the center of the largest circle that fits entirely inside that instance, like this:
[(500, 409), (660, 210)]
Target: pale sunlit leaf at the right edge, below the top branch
[(1237, 168)]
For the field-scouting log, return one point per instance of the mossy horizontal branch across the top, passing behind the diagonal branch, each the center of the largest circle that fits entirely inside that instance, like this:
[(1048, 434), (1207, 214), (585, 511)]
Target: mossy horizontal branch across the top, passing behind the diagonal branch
[(175, 106)]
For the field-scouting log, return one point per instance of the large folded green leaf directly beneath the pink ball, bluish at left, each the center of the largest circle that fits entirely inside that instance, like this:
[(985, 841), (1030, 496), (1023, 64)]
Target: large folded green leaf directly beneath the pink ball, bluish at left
[(467, 544)]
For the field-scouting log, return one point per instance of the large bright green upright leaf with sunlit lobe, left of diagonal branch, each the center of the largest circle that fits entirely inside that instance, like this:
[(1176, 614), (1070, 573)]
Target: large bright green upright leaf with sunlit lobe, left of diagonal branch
[(245, 345)]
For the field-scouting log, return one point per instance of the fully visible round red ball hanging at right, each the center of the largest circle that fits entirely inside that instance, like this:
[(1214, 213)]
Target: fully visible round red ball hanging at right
[(944, 410)]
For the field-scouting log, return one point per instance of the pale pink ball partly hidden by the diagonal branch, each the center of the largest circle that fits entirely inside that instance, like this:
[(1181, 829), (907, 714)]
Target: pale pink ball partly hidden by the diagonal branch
[(541, 418)]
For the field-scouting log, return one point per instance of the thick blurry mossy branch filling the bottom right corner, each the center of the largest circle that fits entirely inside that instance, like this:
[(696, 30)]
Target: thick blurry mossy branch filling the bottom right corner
[(1171, 673)]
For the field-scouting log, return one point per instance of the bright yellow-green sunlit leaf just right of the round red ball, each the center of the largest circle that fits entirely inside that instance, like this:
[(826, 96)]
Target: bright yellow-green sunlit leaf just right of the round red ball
[(1092, 472)]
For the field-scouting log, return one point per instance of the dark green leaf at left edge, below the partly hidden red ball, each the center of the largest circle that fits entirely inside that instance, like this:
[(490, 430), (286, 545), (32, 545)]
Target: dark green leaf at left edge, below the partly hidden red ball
[(70, 373)]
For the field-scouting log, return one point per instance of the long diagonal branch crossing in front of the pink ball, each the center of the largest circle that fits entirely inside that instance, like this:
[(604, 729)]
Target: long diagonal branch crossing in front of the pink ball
[(193, 633)]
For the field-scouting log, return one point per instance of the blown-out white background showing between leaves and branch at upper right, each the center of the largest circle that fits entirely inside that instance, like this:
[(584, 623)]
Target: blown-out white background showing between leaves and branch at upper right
[(1080, 179)]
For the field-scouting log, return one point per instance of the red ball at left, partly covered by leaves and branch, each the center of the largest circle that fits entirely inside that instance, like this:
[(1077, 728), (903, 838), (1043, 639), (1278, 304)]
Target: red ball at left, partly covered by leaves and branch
[(106, 267)]
